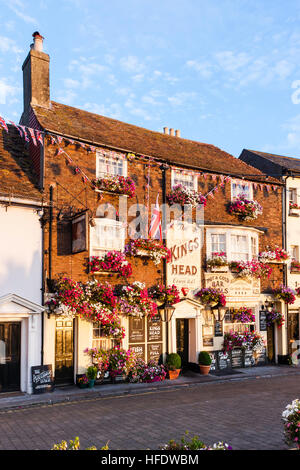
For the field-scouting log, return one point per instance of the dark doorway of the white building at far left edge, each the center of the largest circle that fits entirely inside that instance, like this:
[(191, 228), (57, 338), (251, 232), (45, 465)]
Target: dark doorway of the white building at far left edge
[(10, 356)]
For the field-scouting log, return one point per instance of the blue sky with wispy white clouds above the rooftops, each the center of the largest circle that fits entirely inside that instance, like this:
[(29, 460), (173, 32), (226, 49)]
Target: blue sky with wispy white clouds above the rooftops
[(224, 72)]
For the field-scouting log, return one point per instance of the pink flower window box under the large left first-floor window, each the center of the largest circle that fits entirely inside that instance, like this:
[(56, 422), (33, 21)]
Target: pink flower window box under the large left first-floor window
[(112, 262)]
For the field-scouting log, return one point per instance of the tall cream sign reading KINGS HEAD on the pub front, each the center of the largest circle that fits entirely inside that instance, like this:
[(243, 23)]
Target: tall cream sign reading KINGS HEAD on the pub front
[(184, 268)]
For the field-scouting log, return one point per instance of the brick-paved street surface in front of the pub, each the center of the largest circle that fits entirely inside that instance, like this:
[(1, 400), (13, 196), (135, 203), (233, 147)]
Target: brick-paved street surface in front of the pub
[(244, 410)]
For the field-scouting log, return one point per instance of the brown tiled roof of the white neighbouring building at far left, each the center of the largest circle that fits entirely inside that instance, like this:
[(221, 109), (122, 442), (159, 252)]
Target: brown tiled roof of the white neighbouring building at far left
[(16, 175)]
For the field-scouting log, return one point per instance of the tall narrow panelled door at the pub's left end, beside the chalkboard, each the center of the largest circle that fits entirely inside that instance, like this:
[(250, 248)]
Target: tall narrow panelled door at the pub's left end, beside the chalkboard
[(64, 352)]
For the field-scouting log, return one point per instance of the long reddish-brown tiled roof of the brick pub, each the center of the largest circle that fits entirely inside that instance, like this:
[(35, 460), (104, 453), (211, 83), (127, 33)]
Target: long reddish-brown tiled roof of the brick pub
[(96, 129)]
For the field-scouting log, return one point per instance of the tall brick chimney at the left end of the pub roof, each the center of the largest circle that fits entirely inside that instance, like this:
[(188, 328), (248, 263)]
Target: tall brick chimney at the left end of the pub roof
[(36, 85)]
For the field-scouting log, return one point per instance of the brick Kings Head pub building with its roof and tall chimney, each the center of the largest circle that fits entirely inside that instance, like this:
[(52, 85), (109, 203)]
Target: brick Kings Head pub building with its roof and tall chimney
[(84, 219)]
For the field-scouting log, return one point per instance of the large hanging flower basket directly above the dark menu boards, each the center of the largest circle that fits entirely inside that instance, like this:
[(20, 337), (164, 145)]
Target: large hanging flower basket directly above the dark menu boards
[(134, 300)]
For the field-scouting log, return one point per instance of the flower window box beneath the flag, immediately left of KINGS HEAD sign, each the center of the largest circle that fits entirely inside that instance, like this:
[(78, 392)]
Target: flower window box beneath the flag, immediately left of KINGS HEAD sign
[(152, 249)]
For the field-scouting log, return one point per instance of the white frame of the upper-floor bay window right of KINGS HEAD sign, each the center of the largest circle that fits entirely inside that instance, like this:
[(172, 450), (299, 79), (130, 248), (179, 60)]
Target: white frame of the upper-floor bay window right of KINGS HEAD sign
[(228, 232)]
